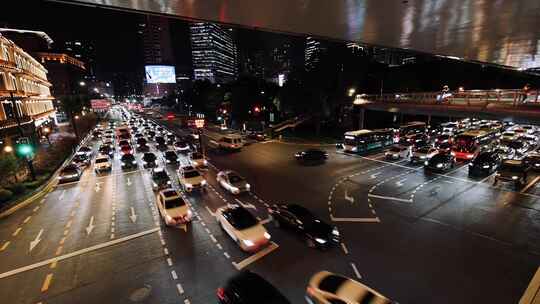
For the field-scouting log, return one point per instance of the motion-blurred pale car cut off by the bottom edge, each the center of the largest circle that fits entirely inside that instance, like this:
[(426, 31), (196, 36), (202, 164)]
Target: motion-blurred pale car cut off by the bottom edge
[(325, 288)]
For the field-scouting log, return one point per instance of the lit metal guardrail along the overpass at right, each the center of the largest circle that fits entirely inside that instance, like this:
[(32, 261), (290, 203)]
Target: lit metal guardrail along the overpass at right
[(465, 98)]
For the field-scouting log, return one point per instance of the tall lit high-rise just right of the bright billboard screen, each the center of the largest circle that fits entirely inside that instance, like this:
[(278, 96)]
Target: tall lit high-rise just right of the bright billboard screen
[(213, 52)]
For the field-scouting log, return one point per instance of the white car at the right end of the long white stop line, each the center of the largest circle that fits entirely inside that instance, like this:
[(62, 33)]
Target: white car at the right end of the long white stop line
[(173, 208)]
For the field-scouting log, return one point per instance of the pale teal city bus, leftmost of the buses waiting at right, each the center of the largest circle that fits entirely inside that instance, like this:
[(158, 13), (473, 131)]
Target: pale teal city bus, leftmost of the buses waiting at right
[(362, 141)]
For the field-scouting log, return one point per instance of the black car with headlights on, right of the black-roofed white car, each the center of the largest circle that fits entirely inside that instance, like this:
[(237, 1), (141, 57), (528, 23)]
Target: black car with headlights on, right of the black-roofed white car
[(316, 232)]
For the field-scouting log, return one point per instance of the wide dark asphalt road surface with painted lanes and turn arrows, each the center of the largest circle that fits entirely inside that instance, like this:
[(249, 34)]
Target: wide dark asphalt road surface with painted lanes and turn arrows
[(415, 237)]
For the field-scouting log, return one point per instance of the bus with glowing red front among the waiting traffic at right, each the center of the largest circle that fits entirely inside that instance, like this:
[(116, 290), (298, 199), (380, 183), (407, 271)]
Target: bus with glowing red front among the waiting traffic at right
[(467, 144)]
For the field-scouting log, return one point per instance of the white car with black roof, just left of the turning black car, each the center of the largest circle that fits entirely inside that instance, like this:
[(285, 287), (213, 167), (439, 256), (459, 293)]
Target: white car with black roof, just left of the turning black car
[(242, 227)]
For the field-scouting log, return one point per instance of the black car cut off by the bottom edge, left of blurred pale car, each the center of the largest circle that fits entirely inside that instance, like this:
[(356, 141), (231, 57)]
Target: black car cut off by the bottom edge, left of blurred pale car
[(247, 287)]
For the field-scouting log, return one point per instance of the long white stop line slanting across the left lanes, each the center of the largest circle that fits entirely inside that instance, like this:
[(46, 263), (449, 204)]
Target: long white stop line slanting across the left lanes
[(76, 253)]
